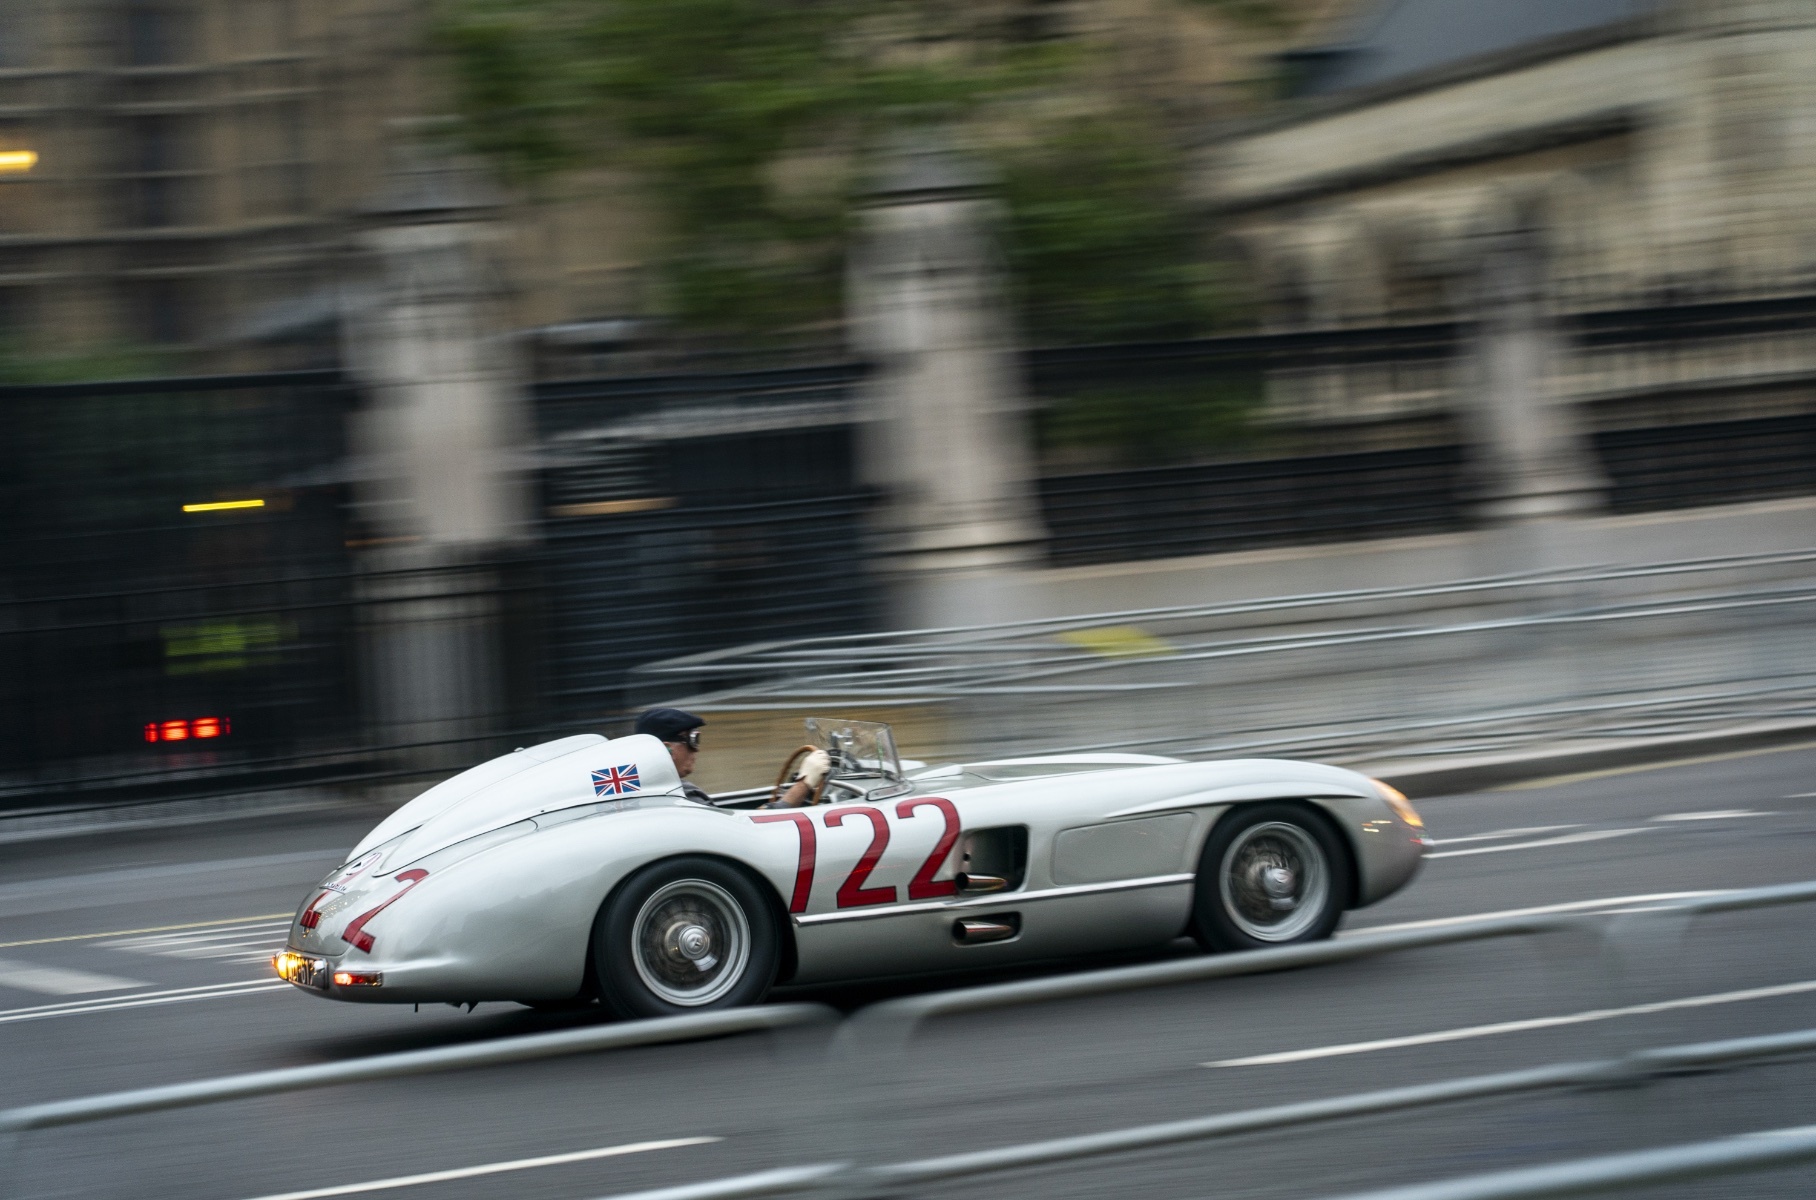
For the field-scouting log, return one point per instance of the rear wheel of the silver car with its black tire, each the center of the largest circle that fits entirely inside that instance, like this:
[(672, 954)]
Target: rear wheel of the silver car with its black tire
[(662, 925)]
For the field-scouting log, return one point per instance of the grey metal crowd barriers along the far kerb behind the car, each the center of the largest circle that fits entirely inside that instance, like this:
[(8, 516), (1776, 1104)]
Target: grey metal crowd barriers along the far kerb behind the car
[(1454, 669)]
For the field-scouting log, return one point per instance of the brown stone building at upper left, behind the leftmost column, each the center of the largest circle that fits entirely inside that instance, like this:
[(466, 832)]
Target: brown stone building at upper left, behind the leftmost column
[(204, 168)]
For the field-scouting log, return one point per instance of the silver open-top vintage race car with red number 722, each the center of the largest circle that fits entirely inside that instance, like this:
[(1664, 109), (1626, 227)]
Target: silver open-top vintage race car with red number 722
[(577, 870)]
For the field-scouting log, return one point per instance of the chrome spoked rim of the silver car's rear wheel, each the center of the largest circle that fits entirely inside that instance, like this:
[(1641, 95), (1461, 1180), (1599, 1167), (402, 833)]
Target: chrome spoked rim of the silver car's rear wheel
[(691, 943)]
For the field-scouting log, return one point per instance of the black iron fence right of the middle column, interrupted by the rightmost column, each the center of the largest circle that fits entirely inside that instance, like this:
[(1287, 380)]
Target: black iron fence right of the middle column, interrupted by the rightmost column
[(1688, 404)]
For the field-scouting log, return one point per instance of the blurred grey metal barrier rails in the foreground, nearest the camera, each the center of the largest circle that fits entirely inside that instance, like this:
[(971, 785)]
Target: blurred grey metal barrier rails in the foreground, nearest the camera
[(880, 1036)]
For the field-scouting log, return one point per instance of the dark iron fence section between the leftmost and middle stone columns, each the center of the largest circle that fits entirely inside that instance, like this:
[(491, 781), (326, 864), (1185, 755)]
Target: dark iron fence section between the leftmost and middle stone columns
[(698, 511)]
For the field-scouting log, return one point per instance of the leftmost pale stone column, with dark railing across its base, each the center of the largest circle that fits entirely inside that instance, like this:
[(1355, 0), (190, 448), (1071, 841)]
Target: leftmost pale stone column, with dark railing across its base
[(442, 469)]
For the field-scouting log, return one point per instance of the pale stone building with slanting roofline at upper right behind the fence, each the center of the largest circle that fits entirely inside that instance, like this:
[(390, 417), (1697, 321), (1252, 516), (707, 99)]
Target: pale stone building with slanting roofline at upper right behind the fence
[(1650, 152)]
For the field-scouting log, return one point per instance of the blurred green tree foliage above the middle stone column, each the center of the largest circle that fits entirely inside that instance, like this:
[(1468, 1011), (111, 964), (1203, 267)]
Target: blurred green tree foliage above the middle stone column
[(751, 119)]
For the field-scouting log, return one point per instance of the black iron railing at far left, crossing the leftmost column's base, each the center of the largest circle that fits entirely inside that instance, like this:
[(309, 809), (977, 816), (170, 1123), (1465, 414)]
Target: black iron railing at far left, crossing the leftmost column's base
[(268, 684)]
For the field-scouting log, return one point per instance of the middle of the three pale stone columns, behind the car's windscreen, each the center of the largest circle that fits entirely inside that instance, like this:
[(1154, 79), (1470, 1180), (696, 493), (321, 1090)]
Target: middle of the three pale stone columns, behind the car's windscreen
[(945, 426)]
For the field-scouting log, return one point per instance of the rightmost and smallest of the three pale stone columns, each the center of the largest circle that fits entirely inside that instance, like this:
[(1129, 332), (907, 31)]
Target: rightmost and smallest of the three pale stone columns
[(1530, 455)]
